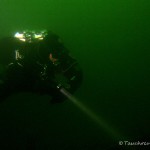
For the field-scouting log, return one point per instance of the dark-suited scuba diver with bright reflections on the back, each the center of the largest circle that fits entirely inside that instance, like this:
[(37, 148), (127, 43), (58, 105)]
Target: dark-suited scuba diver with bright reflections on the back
[(37, 62)]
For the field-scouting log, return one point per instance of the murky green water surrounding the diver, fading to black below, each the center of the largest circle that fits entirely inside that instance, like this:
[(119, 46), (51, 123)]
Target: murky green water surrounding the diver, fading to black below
[(110, 40)]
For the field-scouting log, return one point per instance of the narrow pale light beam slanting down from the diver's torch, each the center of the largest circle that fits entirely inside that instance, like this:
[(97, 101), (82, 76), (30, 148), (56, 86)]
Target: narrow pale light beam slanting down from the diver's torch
[(92, 115)]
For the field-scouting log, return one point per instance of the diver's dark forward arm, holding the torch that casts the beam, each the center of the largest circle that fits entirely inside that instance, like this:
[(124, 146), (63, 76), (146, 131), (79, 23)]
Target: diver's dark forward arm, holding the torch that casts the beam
[(70, 80)]
